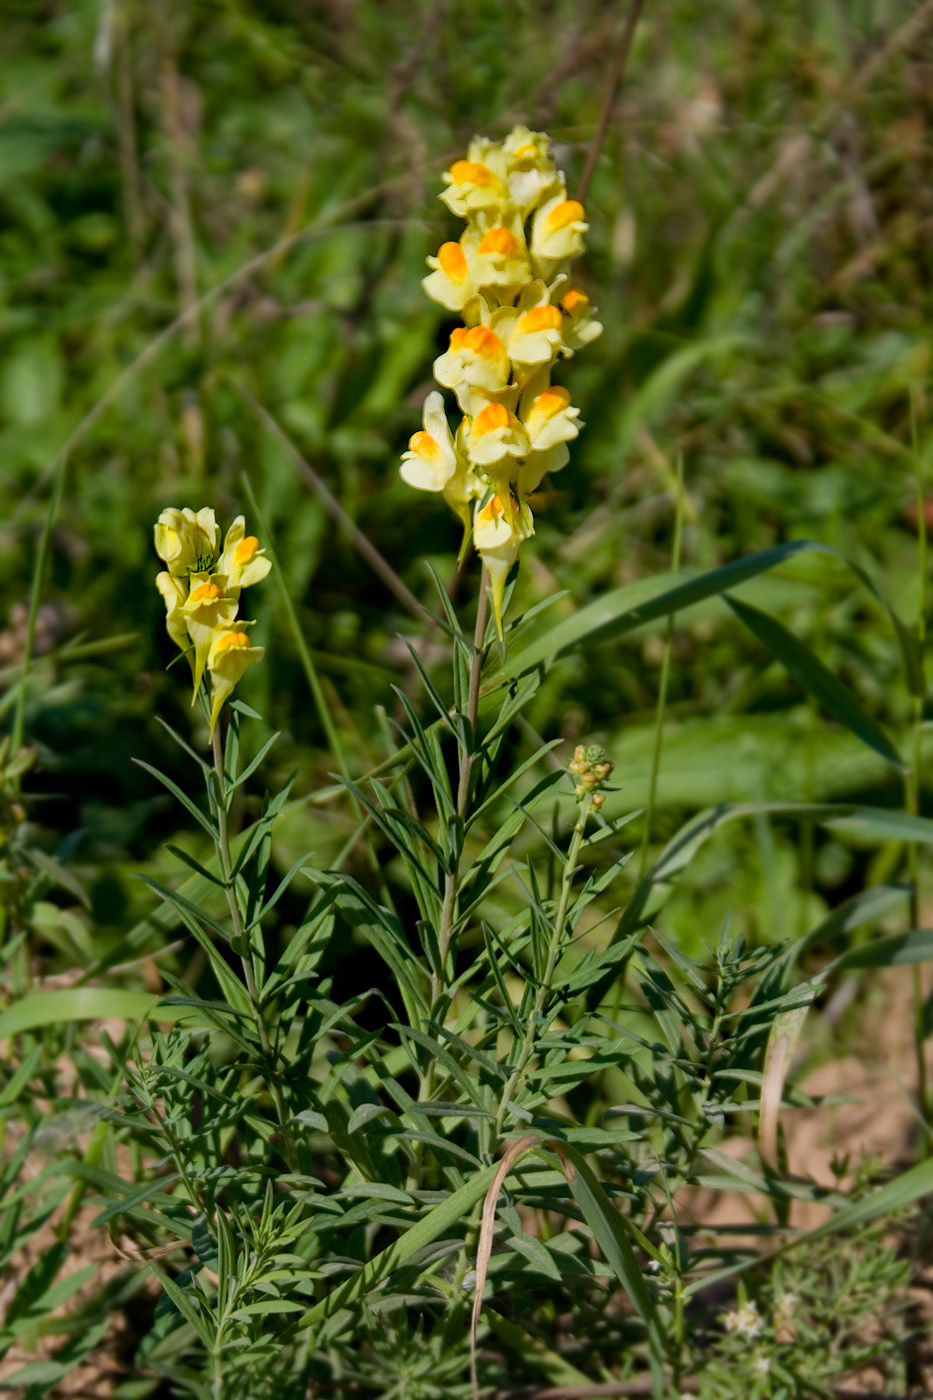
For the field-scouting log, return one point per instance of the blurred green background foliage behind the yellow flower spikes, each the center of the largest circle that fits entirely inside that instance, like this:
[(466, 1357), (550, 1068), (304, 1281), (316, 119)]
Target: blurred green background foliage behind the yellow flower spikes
[(216, 209)]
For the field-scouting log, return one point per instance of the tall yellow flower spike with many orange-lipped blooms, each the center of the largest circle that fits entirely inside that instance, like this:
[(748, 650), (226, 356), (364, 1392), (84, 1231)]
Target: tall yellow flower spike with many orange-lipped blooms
[(508, 278)]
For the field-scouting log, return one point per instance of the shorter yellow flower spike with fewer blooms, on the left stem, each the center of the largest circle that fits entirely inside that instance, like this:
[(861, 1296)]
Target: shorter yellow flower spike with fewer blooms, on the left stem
[(202, 590)]
